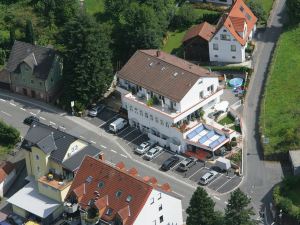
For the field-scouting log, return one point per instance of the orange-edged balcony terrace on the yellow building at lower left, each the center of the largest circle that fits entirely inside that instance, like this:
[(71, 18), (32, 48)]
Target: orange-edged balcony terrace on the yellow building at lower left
[(55, 181)]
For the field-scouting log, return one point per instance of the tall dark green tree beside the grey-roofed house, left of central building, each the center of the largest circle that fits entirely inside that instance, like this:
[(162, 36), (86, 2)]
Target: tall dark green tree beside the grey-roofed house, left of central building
[(87, 59)]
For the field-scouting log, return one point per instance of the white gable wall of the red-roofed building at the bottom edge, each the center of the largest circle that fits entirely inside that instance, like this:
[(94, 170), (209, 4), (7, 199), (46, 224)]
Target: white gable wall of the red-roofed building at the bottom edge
[(160, 209)]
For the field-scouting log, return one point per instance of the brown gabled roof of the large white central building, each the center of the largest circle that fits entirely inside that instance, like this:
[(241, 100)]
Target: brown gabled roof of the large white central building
[(162, 73)]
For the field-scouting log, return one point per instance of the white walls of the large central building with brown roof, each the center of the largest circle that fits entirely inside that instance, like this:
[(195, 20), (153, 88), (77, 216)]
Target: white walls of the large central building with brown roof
[(159, 120)]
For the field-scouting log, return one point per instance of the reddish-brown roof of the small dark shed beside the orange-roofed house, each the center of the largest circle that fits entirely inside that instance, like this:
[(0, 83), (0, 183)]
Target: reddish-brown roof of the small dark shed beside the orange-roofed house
[(203, 30)]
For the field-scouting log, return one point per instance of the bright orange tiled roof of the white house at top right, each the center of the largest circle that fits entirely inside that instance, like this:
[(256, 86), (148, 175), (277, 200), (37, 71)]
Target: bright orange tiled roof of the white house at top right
[(234, 21)]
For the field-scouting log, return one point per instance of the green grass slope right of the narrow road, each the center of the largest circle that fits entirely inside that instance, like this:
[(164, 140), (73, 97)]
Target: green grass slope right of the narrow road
[(280, 113)]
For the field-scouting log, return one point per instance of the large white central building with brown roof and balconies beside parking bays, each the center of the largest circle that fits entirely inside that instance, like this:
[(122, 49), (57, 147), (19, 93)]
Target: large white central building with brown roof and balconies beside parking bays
[(164, 96)]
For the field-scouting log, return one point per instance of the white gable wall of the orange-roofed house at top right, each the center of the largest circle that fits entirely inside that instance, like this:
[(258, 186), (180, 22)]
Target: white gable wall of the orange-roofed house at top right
[(223, 47)]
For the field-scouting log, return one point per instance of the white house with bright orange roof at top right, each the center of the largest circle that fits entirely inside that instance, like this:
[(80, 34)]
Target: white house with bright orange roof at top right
[(233, 32)]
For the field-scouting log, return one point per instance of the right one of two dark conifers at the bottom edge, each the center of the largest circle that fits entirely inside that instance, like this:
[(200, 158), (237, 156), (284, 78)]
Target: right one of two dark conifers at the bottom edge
[(238, 211)]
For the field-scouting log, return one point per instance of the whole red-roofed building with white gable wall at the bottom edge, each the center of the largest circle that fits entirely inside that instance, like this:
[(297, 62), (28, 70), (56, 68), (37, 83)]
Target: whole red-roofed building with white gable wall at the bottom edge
[(104, 194)]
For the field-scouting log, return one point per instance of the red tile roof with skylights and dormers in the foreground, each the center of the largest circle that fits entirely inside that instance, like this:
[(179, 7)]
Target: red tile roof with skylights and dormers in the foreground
[(113, 180)]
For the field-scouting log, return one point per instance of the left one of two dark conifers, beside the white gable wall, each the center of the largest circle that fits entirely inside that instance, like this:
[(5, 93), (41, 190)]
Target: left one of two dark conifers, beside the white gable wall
[(201, 209)]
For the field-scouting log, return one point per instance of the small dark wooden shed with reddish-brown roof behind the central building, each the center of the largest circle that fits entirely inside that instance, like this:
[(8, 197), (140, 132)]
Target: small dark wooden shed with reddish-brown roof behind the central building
[(195, 42)]
